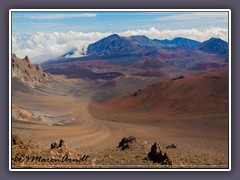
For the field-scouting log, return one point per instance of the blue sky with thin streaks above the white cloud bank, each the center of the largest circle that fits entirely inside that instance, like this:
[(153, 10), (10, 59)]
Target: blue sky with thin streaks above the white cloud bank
[(114, 21)]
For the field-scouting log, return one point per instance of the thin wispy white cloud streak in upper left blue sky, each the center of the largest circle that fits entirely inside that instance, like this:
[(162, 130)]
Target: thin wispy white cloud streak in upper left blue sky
[(53, 16)]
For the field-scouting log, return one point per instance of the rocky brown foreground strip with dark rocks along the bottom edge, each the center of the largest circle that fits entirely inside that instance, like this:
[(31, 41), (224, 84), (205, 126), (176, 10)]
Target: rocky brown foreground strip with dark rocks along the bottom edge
[(30, 155)]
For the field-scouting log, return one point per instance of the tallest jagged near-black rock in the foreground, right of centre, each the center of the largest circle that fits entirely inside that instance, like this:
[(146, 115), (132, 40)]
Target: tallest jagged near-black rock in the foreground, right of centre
[(157, 156)]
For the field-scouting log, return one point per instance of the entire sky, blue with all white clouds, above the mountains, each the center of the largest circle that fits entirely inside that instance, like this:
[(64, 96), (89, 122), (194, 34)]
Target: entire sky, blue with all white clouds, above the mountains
[(46, 35)]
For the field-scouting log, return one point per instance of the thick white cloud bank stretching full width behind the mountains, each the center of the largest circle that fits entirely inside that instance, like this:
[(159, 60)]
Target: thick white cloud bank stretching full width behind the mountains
[(43, 46)]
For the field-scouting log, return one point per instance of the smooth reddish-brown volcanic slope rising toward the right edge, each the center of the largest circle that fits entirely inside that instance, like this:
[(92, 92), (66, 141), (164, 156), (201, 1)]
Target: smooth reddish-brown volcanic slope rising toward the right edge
[(199, 94)]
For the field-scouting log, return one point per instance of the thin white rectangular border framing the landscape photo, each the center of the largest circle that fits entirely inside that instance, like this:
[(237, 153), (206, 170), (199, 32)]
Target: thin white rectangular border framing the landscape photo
[(119, 10)]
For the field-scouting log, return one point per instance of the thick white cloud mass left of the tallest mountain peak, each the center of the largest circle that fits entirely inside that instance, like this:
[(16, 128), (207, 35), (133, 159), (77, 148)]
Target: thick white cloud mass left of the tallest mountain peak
[(43, 46)]
